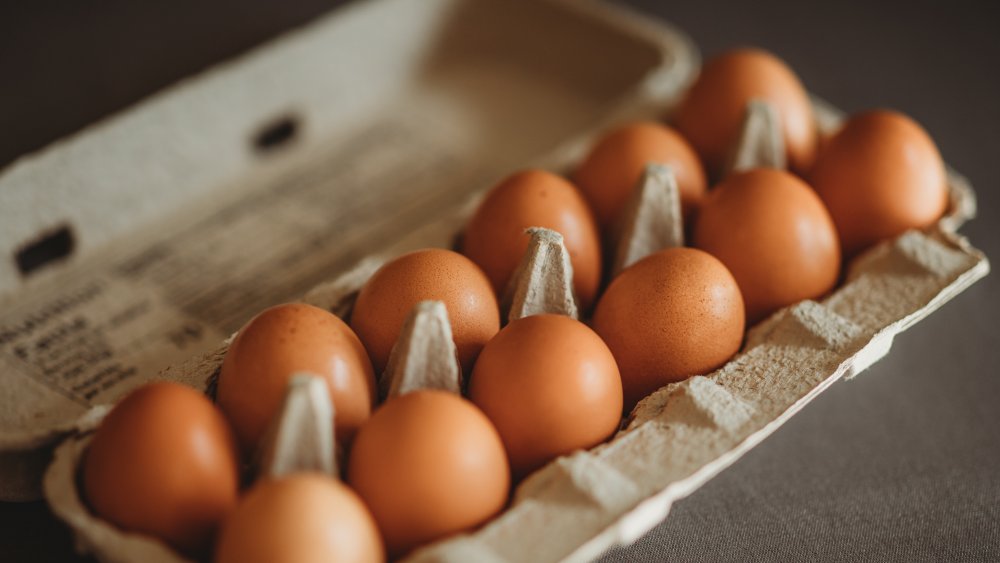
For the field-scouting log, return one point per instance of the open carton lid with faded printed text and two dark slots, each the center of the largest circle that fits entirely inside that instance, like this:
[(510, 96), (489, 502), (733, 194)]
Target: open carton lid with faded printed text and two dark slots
[(177, 220)]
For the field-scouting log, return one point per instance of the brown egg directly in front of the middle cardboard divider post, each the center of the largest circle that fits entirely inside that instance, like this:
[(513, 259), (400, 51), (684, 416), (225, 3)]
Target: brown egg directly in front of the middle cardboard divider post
[(550, 385)]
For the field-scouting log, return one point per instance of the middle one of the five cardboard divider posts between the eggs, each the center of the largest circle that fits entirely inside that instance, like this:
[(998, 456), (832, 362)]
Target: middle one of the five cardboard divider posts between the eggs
[(543, 282)]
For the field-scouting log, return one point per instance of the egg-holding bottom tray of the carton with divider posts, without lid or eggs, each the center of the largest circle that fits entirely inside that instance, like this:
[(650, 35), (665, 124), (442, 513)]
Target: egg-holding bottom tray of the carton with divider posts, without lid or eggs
[(674, 440)]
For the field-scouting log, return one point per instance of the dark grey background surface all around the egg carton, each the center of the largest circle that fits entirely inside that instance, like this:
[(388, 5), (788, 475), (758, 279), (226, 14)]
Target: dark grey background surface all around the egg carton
[(902, 464)]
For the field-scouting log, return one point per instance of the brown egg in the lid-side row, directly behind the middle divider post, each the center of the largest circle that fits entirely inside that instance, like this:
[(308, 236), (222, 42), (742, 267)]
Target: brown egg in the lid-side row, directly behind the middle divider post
[(496, 241)]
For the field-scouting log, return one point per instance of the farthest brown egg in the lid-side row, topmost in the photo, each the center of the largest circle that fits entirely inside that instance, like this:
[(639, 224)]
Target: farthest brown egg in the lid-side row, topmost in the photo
[(712, 112)]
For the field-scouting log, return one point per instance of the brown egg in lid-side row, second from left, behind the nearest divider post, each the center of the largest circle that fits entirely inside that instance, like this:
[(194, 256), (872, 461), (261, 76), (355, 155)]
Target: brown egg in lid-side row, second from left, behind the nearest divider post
[(276, 344)]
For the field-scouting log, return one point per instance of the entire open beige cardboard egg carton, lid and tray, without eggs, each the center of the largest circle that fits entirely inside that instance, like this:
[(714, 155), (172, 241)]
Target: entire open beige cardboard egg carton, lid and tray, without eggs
[(579, 67)]
